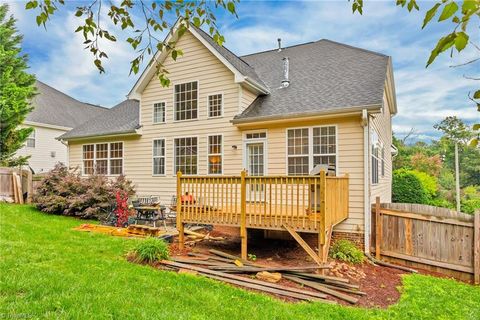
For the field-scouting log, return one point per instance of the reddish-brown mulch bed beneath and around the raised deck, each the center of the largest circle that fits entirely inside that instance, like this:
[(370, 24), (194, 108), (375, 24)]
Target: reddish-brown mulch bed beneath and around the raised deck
[(381, 284)]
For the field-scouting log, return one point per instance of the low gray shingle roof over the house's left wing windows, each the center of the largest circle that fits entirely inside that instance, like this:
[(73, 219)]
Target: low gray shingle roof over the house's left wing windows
[(121, 119)]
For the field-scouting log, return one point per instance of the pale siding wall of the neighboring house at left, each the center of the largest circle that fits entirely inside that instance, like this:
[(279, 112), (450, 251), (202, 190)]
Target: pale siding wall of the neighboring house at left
[(41, 159)]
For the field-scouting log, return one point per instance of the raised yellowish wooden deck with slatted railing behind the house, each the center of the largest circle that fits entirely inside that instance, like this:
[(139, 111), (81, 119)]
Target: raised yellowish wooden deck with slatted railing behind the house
[(311, 204)]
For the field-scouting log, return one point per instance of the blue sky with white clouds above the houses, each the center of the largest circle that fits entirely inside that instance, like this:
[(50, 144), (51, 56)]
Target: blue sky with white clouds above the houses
[(424, 96)]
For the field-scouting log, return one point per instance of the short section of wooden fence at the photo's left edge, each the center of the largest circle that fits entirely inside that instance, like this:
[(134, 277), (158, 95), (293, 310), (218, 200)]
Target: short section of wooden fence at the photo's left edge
[(16, 185)]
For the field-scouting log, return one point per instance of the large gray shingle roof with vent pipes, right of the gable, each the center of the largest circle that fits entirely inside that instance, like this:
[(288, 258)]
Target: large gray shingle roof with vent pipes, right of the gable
[(324, 76)]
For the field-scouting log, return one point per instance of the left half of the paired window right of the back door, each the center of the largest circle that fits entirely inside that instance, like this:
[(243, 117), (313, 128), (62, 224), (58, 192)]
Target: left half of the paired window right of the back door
[(298, 153)]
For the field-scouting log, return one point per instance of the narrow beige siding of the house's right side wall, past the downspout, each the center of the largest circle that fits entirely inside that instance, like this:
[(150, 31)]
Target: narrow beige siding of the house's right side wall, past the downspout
[(382, 124)]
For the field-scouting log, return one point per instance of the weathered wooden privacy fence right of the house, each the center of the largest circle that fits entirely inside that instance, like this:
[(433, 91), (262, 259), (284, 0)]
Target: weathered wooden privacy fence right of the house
[(432, 238)]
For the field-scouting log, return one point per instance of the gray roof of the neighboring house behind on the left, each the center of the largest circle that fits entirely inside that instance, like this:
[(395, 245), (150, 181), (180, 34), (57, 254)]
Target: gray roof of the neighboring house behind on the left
[(56, 108)]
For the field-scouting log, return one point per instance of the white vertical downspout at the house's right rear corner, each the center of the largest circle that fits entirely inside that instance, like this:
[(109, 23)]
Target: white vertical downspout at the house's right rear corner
[(366, 180)]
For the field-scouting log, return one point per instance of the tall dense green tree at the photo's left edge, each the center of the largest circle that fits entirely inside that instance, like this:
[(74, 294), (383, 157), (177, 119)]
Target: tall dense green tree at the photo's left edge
[(16, 90)]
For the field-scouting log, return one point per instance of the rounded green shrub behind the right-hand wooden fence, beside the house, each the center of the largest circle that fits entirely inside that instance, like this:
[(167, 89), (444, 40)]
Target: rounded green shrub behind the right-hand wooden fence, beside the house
[(408, 188)]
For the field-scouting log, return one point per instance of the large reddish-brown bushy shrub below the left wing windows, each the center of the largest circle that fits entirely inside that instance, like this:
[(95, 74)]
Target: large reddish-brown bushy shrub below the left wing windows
[(64, 191)]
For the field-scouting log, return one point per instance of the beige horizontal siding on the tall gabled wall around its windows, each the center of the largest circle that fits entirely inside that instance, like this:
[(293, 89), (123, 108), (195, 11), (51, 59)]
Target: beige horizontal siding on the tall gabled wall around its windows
[(197, 64)]
